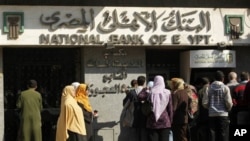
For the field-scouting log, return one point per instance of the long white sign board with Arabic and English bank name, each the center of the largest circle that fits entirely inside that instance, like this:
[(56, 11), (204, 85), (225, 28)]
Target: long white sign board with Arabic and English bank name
[(130, 26)]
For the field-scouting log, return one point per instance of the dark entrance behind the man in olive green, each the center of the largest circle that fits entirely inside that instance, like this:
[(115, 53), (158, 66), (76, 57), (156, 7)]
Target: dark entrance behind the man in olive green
[(53, 68)]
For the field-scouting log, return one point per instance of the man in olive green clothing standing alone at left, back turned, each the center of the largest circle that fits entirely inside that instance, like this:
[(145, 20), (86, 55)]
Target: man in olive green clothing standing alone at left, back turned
[(30, 105)]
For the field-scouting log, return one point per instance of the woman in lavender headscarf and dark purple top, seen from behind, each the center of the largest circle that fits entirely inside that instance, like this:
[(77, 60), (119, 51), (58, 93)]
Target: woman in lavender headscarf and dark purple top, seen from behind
[(159, 121)]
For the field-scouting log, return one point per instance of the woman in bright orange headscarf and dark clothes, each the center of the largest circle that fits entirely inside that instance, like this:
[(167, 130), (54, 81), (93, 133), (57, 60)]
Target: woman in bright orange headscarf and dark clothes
[(83, 101)]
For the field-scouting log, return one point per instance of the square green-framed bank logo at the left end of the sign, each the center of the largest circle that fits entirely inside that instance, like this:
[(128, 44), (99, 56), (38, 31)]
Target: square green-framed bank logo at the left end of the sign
[(13, 24)]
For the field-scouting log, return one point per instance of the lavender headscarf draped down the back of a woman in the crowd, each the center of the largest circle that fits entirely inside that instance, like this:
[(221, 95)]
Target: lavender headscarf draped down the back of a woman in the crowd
[(159, 96)]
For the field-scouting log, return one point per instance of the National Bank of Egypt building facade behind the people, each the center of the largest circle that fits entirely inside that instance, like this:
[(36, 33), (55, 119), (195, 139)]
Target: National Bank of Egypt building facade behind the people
[(107, 47)]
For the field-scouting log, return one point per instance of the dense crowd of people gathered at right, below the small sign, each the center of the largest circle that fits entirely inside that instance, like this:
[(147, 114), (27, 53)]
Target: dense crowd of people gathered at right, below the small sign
[(180, 111)]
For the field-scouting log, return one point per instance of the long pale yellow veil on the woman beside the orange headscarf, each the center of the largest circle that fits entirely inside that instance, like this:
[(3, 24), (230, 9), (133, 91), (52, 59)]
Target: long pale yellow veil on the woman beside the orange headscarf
[(71, 115)]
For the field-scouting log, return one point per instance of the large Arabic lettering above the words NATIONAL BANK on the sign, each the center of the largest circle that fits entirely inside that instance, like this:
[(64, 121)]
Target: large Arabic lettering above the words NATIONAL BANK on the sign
[(113, 19)]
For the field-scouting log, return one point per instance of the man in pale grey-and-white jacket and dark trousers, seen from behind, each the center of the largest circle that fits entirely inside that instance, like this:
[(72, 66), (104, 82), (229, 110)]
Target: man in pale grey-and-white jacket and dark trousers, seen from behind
[(219, 102)]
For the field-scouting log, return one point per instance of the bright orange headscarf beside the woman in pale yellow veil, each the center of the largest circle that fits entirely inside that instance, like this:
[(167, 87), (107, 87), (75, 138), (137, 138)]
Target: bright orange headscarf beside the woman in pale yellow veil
[(82, 97)]
